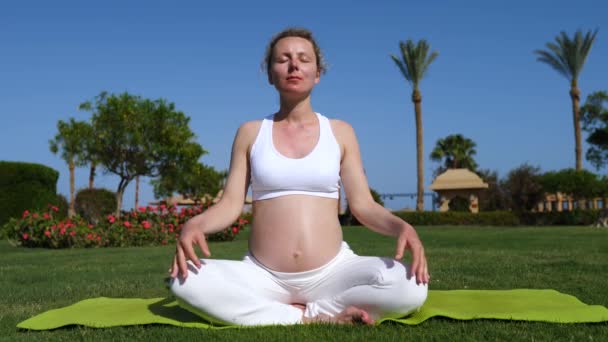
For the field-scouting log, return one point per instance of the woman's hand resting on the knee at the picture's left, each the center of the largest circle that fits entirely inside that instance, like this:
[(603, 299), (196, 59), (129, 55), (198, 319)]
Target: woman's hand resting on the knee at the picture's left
[(190, 236)]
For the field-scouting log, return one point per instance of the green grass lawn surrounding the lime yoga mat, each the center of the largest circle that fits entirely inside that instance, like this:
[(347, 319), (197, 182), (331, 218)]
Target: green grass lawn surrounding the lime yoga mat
[(573, 260)]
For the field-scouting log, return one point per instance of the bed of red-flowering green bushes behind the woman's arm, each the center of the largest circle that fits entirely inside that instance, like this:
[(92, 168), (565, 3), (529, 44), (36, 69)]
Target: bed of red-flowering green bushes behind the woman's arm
[(145, 226)]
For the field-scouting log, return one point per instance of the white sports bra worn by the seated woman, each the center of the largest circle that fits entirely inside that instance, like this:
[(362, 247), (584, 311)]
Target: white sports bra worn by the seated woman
[(274, 175)]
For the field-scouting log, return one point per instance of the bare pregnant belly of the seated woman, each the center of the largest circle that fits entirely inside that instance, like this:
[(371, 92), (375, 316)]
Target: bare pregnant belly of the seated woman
[(295, 233)]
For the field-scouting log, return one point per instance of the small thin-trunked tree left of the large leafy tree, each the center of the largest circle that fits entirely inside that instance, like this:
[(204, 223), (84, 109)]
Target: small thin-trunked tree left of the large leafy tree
[(69, 140)]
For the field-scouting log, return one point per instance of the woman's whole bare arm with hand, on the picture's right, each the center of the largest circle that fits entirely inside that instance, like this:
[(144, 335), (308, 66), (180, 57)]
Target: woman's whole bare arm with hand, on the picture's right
[(370, 213)]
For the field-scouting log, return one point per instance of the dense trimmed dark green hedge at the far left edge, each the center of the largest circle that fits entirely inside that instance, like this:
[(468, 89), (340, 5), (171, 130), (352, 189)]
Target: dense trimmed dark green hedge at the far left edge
[(25, 186)]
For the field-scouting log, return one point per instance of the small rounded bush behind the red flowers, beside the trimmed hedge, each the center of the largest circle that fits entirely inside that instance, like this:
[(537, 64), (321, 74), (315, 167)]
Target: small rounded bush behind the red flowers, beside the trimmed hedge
[(94, 204)]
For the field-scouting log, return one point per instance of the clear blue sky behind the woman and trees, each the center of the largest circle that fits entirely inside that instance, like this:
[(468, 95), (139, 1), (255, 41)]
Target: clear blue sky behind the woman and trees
[(205, 57)]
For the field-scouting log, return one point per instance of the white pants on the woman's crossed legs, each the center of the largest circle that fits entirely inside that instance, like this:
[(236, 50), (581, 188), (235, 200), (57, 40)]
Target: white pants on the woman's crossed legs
[(247, 293)]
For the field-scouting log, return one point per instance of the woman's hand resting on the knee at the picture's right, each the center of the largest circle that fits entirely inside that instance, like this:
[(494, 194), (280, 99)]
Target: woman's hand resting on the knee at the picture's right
[(408, 239)]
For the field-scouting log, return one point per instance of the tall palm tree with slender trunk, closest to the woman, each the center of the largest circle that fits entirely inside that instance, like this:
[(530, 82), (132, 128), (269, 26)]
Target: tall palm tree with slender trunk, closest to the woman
[(414, 63)]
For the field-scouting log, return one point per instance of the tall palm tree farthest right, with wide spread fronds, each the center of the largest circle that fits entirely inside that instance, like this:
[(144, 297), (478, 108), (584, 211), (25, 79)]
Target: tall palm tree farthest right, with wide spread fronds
[(568, 56)]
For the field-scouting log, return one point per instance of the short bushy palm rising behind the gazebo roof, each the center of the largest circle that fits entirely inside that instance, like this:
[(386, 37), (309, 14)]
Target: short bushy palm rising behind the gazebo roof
[(455, 151)]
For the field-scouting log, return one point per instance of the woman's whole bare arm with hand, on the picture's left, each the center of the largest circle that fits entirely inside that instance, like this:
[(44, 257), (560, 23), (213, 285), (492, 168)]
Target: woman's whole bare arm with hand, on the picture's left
[(224, 212)]
